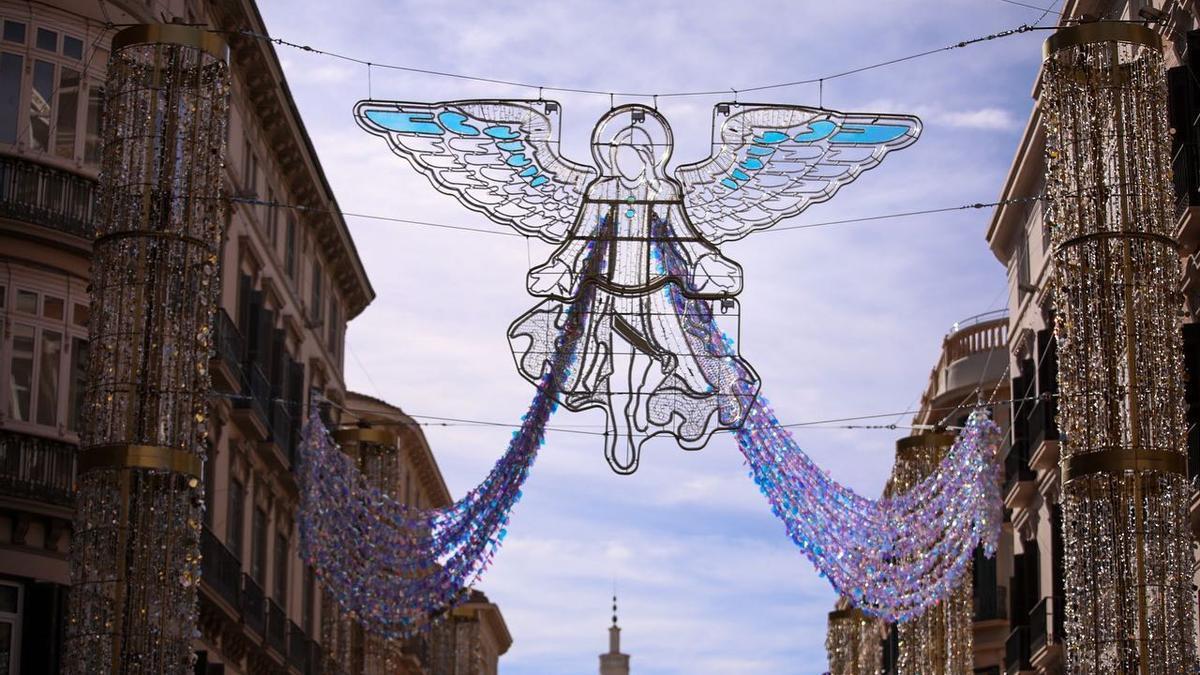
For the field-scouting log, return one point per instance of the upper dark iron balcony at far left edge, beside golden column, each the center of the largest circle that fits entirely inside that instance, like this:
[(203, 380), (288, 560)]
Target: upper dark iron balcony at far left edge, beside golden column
[(47, 196)]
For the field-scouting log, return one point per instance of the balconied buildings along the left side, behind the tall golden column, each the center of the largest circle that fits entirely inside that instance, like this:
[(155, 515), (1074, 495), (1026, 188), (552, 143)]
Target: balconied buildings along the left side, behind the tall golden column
[(291, 280)]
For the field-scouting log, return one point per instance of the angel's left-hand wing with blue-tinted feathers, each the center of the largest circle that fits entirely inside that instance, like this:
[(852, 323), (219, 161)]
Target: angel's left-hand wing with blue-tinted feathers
[(499, 158)]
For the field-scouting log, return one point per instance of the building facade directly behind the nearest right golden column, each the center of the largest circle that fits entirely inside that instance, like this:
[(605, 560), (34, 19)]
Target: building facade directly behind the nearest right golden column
[(1021, 240)]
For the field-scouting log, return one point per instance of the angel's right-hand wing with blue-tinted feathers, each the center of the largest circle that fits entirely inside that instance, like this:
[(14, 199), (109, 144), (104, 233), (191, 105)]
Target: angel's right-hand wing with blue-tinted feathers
[(771, 163)]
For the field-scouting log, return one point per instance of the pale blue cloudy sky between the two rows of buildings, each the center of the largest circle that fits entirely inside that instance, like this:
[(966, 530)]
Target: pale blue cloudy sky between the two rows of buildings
[(839, 321)]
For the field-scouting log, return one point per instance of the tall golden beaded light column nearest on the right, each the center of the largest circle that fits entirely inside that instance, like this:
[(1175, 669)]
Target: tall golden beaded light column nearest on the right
[(1125, 493)]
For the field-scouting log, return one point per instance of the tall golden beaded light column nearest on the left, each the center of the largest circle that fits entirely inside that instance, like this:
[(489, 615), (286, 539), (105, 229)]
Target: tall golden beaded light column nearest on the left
[(135, 554)]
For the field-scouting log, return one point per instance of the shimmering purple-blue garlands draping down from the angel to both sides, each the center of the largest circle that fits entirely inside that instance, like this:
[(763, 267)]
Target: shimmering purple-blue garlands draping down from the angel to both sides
[(395, 568)]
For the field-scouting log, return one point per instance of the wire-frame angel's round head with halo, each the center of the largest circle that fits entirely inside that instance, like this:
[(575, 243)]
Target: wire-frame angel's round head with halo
[(633, 142)]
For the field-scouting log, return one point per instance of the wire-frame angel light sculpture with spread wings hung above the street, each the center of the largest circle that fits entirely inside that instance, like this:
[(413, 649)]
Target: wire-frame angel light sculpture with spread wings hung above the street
[(620, 226)]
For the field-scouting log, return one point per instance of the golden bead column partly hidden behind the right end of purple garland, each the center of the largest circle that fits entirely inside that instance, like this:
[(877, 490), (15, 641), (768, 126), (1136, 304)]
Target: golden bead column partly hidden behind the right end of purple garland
[(939, 642)]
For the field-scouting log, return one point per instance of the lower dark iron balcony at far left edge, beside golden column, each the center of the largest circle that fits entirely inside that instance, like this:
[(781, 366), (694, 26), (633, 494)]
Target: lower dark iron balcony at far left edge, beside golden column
[(38, 469)]
